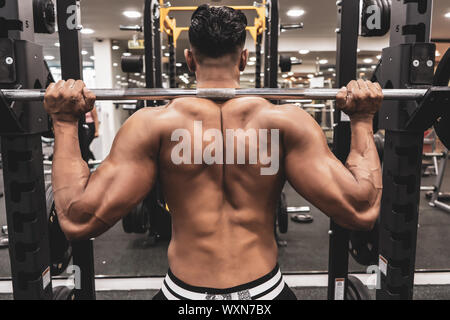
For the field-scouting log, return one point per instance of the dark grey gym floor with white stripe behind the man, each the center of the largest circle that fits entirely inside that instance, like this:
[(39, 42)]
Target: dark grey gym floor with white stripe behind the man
[(123, 256)]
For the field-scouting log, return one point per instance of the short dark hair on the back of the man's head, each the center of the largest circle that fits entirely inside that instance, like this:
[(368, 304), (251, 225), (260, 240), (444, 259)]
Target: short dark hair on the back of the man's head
[(217, 31)]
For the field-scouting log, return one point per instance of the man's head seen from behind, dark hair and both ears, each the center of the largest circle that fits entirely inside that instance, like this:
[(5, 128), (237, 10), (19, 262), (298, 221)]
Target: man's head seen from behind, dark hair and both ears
[(217, 34)]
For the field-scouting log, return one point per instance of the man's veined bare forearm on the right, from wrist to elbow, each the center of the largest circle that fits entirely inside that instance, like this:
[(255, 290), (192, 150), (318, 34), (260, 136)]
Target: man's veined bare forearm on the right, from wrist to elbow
[(364, 163)]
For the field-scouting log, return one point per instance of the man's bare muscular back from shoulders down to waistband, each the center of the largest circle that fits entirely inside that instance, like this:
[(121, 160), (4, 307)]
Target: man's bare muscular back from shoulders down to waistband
[(221, 200)]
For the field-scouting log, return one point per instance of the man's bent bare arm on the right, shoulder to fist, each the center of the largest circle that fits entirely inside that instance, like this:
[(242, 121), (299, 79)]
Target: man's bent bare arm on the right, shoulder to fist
[(349, 194)]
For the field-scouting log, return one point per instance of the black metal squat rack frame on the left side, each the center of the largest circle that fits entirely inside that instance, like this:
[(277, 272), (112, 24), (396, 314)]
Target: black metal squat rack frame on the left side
[(38, 248)]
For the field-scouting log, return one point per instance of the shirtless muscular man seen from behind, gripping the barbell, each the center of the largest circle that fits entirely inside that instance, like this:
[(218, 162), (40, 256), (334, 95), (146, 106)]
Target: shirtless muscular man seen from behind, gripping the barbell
[(222, 206)]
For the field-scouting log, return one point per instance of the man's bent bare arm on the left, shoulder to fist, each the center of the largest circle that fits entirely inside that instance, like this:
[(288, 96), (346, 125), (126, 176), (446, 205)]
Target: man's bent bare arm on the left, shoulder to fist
[(89, 204)]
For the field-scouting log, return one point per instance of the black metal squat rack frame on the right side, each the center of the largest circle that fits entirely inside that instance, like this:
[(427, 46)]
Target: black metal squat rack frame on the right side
[(407, 64)]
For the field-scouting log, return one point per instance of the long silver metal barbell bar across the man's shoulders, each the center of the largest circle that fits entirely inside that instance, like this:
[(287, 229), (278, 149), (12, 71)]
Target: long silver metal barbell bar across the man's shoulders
[(216, 94)]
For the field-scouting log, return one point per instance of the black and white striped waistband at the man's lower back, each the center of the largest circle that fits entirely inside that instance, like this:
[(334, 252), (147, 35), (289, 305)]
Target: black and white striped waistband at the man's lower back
[(265, 288)]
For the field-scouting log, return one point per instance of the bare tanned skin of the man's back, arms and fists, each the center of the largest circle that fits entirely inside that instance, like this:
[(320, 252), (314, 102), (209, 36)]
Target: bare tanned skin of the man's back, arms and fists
[(222, 215)]
